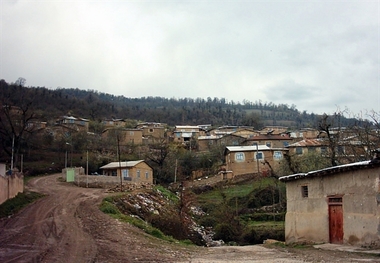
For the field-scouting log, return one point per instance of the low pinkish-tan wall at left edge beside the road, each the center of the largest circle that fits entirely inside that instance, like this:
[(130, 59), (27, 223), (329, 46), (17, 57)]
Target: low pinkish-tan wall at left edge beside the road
[(10, 186)]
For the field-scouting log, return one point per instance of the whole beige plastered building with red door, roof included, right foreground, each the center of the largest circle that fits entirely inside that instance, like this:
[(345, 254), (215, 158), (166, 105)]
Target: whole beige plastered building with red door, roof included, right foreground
[(339, 205)]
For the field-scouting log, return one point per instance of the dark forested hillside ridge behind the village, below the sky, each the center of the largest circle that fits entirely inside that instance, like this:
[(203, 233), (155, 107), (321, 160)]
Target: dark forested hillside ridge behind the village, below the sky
[(48, 104)]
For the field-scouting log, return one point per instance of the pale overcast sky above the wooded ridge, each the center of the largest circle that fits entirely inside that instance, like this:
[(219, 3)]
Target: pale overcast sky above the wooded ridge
[(317, 55)]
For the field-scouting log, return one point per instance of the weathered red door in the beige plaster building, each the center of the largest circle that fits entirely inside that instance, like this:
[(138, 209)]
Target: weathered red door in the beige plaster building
[(336, 223)]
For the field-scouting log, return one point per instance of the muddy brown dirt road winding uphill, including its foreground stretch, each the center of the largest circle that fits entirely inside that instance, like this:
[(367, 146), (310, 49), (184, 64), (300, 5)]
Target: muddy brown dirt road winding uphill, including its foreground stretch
[(67, 226)]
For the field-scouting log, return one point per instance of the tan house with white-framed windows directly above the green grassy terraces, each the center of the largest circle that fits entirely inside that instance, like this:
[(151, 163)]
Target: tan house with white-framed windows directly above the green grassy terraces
[(252, 159)]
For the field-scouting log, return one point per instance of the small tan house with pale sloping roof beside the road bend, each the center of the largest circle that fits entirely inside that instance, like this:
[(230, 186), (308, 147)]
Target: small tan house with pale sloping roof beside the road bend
[(132, 171)]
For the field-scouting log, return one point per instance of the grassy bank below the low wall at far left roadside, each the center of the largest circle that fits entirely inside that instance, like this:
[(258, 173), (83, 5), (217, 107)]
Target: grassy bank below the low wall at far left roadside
[(13, 205)]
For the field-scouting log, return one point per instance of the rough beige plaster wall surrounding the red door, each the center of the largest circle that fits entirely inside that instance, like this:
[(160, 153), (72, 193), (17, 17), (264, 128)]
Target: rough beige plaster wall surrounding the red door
[(307, 218)]
